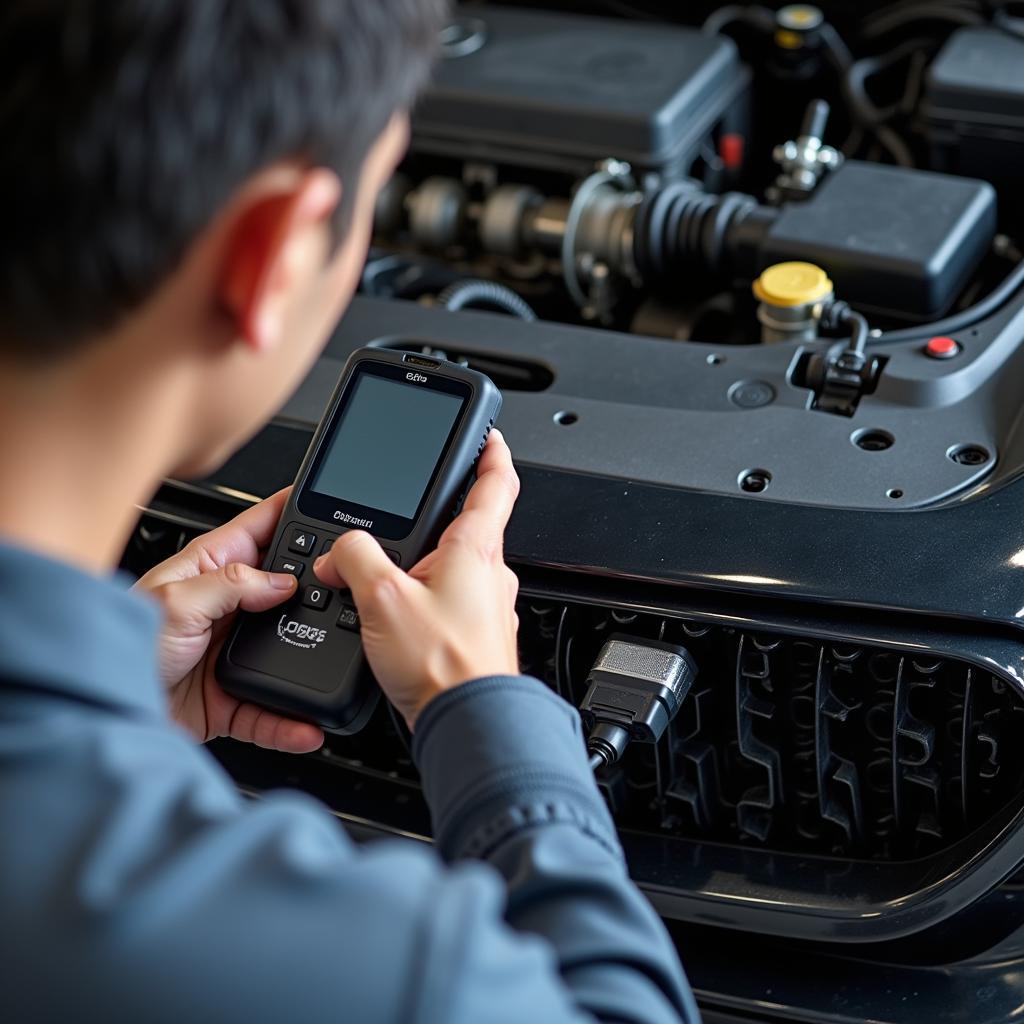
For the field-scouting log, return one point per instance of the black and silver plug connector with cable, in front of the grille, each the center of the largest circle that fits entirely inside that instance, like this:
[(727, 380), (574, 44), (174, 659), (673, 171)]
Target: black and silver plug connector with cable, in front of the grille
[(634, 691)]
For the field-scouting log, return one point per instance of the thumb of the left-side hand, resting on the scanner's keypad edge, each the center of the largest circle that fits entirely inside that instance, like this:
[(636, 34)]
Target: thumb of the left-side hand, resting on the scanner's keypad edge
[(193, 606)]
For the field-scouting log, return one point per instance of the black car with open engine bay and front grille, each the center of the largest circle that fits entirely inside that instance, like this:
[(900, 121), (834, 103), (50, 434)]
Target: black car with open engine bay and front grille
[(751, 284)]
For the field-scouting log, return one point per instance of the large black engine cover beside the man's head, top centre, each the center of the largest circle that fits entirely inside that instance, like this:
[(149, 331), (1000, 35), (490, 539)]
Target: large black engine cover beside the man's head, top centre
[(578, 90)]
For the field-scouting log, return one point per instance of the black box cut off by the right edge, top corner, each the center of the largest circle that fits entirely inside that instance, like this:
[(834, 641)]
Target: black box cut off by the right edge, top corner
[(974, 106)]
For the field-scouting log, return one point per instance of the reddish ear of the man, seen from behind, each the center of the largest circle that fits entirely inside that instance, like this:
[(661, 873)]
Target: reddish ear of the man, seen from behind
[(279, 241)]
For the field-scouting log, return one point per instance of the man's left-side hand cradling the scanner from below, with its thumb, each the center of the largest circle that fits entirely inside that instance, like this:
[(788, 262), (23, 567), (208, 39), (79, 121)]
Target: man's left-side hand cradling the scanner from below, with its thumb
[(200, 589)]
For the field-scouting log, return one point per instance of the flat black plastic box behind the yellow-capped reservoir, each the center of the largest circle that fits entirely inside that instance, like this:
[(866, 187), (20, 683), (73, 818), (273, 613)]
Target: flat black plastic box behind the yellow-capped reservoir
[(895, 242)]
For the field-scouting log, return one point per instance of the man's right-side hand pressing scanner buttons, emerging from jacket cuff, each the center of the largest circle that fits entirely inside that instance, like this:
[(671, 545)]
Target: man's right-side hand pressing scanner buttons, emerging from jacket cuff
[(452, 618)]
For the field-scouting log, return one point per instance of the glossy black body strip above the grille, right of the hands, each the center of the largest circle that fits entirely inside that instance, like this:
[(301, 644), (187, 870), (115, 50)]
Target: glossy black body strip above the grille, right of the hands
[(964, 562)]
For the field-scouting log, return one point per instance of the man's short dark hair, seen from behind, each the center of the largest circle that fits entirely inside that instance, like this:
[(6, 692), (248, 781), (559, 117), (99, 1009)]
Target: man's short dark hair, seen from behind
[(125, 125)]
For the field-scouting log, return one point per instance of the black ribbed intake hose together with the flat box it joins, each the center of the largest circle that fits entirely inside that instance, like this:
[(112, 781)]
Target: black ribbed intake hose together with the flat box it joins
[(898, 243)]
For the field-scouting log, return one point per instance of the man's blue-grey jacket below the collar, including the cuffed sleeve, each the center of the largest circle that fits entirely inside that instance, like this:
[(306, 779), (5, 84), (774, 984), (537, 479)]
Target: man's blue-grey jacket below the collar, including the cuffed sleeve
[(138, 885)]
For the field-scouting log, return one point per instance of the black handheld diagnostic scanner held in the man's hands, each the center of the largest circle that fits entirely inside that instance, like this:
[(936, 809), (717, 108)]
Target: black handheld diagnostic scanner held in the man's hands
[(395, 455)]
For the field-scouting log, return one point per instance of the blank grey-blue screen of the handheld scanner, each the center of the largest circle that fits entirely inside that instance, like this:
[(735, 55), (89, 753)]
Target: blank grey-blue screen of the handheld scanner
[(388, 446)]
